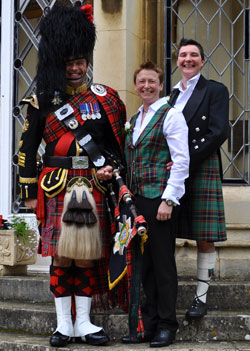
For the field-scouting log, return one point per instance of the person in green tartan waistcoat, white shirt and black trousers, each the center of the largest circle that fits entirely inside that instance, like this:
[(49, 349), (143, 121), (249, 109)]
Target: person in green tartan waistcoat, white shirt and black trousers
[(158, 134)]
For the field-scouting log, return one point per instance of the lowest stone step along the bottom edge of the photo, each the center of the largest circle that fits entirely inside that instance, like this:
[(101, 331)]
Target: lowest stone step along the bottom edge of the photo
[(10, 342)]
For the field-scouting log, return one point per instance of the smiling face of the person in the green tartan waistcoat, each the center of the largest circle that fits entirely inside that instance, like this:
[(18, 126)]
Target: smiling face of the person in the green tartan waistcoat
[(148, 86)]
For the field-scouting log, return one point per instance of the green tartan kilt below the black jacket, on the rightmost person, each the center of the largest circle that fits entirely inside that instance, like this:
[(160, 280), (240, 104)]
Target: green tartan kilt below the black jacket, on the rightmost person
[(202, 208)]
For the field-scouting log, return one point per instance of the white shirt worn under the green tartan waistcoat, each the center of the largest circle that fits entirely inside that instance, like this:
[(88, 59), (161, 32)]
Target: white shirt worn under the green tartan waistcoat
[(175, 131)]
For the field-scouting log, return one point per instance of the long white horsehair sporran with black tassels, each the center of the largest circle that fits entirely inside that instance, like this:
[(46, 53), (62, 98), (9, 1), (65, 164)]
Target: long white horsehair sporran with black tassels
[(80, 230)]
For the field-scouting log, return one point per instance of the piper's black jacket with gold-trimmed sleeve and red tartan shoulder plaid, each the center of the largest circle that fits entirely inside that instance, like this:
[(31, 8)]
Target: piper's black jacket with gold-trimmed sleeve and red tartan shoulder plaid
[(42, 123)]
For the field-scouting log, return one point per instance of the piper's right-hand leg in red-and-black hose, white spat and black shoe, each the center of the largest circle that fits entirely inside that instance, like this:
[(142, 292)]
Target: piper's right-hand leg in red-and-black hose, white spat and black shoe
[(83, 328)]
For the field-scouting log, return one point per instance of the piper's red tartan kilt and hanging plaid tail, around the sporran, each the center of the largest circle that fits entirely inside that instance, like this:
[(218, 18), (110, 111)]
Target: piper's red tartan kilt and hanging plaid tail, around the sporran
[(103, 299)]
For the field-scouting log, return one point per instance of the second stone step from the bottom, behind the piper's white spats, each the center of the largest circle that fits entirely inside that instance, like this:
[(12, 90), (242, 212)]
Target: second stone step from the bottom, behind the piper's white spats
[(40, 319)]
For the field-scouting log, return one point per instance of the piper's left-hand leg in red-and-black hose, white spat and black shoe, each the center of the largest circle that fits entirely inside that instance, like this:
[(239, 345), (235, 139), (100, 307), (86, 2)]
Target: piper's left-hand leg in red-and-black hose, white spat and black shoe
[(61, 286)]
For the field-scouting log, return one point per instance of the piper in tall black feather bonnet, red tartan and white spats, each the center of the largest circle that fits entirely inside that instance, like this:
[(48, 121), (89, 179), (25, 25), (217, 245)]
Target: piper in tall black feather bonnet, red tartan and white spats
[(80, 127)]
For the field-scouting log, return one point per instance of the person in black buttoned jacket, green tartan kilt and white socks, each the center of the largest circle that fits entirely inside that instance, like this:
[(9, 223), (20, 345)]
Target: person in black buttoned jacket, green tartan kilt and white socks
[(205, 105)]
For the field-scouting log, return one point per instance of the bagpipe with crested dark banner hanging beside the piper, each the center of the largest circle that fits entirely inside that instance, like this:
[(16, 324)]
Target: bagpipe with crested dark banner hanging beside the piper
[(128, 246)]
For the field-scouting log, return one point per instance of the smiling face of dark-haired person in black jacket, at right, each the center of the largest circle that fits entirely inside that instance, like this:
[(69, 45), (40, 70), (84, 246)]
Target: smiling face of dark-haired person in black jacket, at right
[(189, 61)]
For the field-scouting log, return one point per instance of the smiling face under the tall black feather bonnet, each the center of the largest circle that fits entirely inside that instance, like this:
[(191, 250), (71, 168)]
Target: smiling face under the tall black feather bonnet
[(76, 71)]
